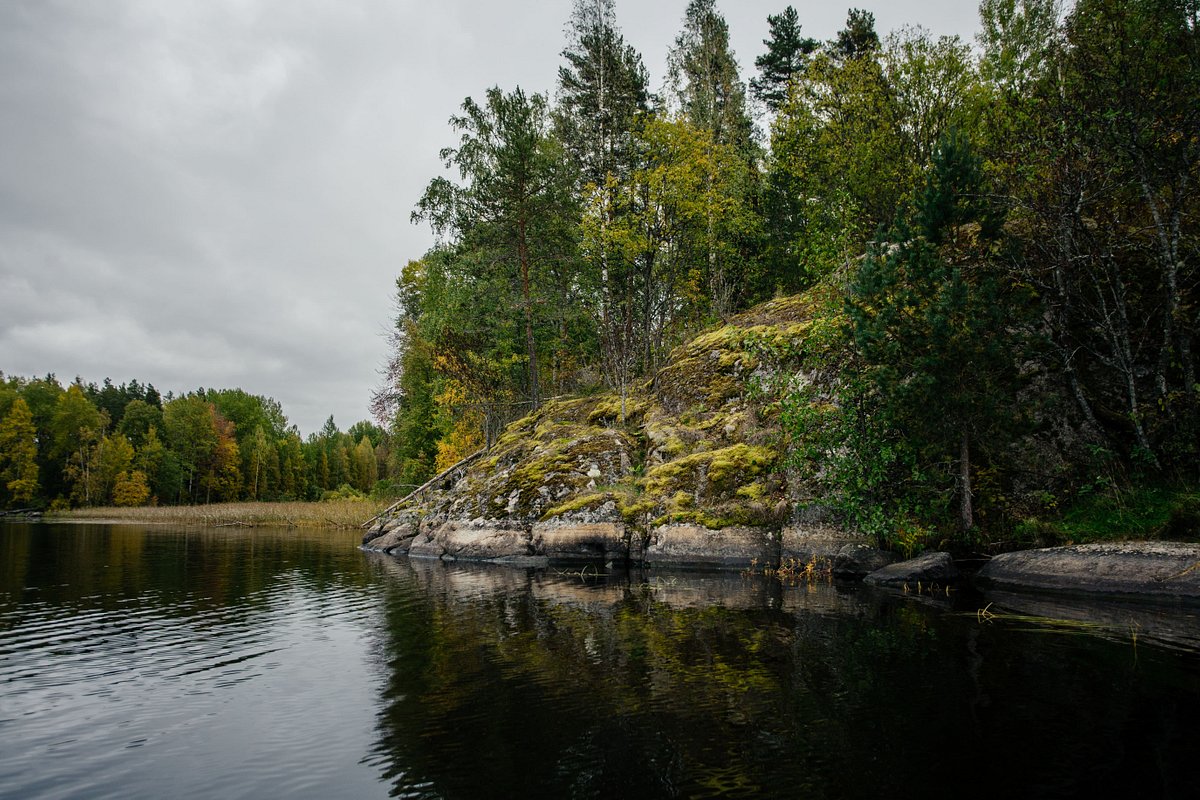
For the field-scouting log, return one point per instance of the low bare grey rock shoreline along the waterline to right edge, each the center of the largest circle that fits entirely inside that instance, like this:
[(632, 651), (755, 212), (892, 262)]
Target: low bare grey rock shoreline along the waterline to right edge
[(1156, 572)]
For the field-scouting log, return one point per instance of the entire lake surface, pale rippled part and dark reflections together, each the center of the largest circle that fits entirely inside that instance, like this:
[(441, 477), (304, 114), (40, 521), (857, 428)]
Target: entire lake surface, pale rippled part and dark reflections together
[(147, 664)]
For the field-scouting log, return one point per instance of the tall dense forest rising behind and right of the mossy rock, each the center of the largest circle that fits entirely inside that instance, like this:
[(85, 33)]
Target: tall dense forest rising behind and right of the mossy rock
[(1003, 232)]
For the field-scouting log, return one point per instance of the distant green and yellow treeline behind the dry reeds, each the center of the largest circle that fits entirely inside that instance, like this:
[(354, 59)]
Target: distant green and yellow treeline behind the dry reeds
[(88, 446)]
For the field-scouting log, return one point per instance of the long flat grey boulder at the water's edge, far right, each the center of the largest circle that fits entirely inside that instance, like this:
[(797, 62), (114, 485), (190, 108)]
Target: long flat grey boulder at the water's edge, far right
[(1131, 569)]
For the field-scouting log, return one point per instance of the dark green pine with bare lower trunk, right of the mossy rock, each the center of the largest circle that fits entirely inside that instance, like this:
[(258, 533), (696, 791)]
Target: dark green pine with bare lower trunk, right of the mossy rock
[(933, 328)]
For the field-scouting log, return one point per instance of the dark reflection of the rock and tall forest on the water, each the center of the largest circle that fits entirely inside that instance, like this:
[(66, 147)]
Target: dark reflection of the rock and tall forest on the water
[(718, 687)]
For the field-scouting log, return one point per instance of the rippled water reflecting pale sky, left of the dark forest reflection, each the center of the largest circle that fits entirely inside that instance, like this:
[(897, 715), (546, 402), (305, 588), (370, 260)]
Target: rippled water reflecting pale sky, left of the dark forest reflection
[(147, 663)]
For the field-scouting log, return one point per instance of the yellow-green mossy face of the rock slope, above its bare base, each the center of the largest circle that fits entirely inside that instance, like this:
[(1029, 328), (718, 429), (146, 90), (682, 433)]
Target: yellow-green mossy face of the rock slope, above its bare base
[(694, 449)]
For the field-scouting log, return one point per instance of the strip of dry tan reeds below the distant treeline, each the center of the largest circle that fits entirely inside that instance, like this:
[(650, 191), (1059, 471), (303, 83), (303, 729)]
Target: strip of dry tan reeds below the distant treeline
[(331, 514)]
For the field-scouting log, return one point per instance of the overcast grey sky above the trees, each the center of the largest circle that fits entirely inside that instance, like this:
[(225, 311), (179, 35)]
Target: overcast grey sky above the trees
[(218, 193)]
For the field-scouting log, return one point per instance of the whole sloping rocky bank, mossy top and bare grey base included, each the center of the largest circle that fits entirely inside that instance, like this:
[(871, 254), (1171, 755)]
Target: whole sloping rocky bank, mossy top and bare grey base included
[(686, 471)]
